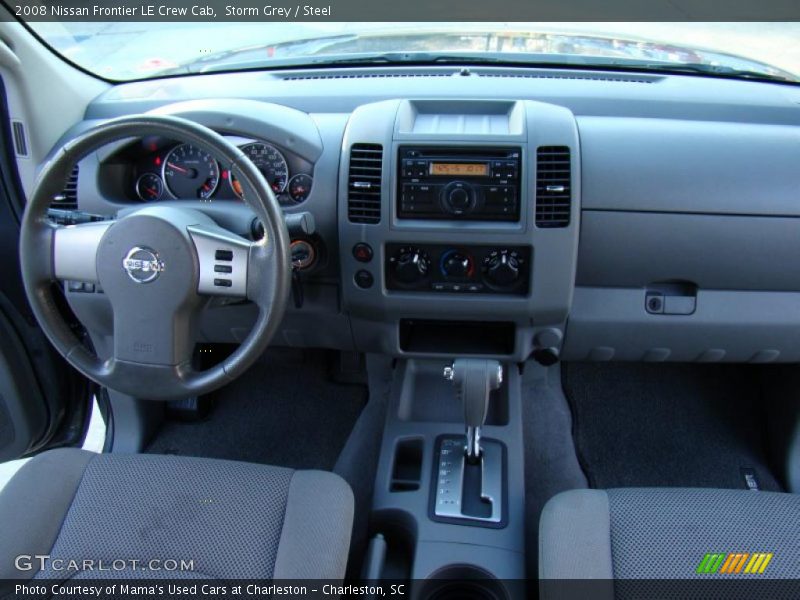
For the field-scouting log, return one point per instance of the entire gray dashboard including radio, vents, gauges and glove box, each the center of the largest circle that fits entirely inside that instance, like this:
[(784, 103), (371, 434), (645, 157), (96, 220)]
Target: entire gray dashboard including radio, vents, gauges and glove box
[(502, 212)]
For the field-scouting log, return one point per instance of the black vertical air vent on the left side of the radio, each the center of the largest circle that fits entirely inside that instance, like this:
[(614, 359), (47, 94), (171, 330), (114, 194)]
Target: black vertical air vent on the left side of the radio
[(364, 183)]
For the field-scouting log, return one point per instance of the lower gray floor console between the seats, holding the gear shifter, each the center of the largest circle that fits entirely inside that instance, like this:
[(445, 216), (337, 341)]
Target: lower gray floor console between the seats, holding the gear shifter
[(448, 503)]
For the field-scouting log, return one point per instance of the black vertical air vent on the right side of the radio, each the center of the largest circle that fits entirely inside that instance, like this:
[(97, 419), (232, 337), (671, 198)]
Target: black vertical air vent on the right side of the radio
[(553, 186)]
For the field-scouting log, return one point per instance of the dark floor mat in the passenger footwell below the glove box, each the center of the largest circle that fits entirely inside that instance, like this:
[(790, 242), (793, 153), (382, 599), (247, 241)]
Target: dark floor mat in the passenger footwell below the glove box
[(668, 425)]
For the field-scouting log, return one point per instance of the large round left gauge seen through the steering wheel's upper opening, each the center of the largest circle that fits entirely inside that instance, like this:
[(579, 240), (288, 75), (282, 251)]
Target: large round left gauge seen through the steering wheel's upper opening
[(189, 172)]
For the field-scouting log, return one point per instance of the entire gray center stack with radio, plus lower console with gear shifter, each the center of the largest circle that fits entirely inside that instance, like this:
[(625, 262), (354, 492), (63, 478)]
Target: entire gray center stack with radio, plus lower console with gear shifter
[(458, 232)]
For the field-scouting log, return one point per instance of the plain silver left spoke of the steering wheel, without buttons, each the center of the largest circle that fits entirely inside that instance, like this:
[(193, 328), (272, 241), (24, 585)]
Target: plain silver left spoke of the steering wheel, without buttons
[(75, 251)]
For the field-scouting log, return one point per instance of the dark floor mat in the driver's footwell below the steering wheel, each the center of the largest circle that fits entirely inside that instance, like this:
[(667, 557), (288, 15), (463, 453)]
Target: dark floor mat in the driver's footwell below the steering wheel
[(284, 411)]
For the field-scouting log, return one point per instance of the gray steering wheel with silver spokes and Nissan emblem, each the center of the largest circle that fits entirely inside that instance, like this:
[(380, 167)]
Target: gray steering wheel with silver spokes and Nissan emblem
[(157, 266)]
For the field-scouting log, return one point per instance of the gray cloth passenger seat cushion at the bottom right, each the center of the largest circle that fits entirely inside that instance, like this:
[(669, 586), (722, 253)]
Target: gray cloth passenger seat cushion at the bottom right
[(665, 533)]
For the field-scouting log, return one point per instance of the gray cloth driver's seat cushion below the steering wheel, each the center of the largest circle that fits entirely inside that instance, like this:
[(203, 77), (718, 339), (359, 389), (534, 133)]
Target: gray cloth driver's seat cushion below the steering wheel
[(232, 520)]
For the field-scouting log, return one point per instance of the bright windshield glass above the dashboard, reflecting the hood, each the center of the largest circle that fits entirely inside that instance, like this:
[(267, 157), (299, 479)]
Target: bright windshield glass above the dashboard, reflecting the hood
[(128, 50)]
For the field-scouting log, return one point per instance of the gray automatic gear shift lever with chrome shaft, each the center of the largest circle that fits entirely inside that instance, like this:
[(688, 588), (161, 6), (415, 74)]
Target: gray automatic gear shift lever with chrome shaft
[(474, 380)]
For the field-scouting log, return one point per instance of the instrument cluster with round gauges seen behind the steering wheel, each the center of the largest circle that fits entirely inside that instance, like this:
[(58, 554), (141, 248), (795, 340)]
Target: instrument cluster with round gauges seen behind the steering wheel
[(169, 171)]
